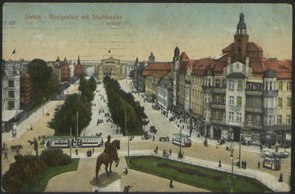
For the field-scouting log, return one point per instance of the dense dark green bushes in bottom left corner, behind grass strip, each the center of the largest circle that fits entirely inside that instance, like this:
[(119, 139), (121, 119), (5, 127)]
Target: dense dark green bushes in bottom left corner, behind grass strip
[(25, 170)]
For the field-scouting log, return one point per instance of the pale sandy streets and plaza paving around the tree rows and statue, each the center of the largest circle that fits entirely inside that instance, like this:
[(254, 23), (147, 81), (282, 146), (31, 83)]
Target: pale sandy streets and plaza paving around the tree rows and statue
[(82, 179)]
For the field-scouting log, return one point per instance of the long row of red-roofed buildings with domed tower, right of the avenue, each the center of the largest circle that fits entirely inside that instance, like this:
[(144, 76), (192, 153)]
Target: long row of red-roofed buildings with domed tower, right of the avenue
[(238, 95)]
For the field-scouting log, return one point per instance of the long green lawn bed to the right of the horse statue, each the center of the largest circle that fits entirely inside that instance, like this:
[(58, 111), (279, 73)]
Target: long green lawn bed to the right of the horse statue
[(201, 177)]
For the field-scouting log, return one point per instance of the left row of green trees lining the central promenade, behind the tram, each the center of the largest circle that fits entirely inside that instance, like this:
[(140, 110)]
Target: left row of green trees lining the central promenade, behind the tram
[(65, 116)]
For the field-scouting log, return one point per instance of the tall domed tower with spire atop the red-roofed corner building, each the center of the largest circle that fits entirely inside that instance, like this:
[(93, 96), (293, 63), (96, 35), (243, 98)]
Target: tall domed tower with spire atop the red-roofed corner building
[(241, 40)]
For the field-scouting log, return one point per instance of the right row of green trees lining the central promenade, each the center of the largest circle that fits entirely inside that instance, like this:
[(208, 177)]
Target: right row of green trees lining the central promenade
[(121, 103)]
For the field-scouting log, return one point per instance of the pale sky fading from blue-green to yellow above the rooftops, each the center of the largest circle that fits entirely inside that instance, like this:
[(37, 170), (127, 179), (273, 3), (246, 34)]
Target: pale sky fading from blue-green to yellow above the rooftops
[(201, 30)]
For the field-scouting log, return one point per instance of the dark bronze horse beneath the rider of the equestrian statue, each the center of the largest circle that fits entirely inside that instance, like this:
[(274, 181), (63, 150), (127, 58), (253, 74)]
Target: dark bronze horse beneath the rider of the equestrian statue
[(106, 159)]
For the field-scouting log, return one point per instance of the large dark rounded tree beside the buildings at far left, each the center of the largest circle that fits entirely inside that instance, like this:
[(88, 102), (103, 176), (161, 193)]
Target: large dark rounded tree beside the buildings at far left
[(44, 83)]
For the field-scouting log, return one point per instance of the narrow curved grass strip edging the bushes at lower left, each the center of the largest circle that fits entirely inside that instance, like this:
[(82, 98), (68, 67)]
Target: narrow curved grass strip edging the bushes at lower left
[(41, 182)]
